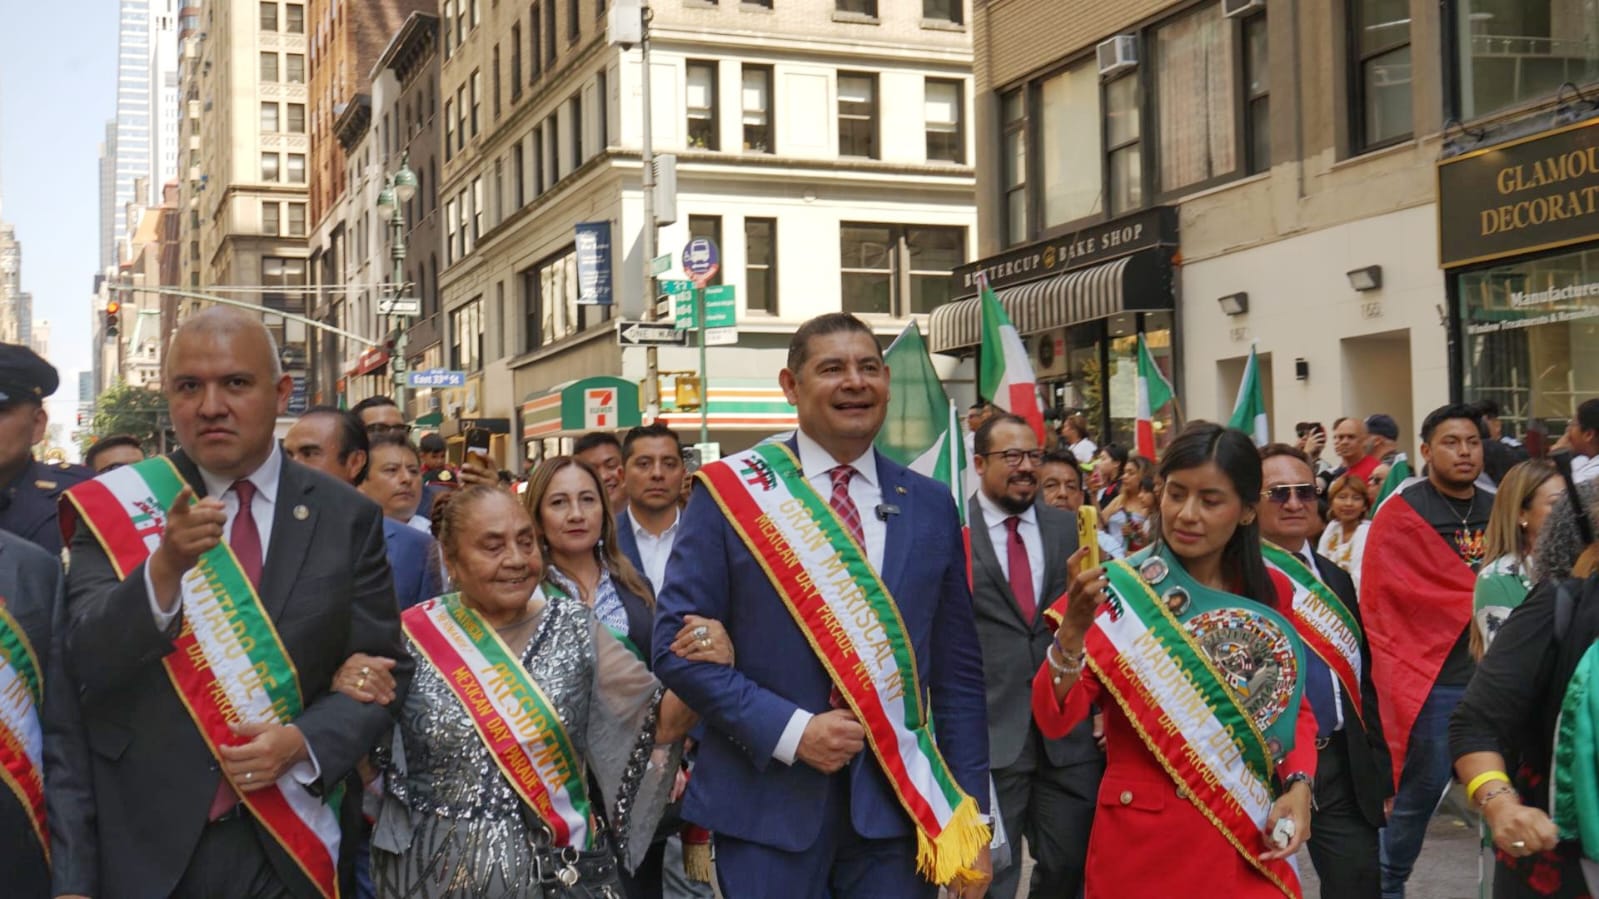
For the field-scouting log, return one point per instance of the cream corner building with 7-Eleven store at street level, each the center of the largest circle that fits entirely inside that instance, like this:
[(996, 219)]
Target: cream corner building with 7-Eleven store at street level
[(826, 148)]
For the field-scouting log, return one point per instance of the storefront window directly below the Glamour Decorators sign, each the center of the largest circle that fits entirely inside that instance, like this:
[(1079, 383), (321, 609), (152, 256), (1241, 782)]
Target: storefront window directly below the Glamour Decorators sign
[(1531, 340)]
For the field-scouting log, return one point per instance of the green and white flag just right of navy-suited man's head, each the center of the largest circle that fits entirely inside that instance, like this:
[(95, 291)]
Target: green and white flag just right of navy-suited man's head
[(923, 430)]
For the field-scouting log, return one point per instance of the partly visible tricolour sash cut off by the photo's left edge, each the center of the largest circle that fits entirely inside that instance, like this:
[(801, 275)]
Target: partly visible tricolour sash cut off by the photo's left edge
[(22, 741)]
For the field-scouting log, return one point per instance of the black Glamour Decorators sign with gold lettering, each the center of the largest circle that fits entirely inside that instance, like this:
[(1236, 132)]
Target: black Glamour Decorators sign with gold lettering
[(1520, 198)]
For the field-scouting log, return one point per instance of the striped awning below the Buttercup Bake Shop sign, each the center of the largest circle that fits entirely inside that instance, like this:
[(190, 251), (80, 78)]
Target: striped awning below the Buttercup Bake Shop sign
[(1043, 305)]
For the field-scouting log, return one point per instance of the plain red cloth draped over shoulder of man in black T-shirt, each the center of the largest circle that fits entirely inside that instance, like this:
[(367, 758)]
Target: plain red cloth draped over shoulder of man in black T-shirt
[(1416, 601)]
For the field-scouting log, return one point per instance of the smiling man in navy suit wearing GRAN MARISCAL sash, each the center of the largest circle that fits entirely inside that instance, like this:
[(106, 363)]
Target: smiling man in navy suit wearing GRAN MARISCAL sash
[(800, 807)]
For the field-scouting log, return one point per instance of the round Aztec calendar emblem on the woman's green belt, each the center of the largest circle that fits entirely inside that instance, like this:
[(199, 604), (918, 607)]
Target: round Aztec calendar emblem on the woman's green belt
[(1254, 657)]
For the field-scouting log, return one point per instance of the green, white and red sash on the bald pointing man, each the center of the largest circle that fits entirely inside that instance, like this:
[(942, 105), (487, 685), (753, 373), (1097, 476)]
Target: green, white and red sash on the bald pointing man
[(228, 665)]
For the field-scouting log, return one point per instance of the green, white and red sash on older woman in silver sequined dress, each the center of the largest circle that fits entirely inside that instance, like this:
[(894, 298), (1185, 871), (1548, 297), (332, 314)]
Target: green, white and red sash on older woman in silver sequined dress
[(516, 721)]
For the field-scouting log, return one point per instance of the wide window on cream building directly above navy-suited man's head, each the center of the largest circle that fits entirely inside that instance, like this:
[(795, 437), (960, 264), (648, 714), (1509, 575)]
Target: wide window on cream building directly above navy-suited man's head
[(895, 270)]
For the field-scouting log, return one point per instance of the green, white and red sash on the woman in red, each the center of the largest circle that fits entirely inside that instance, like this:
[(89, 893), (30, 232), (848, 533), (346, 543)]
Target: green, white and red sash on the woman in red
[(1187, 717)]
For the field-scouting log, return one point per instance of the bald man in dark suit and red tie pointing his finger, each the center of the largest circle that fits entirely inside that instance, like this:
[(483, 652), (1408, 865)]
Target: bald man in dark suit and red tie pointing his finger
[(167, 805)]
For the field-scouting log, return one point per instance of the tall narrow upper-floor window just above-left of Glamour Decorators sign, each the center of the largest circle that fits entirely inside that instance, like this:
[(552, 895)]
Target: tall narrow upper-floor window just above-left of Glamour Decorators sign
[(1381, 71)]
